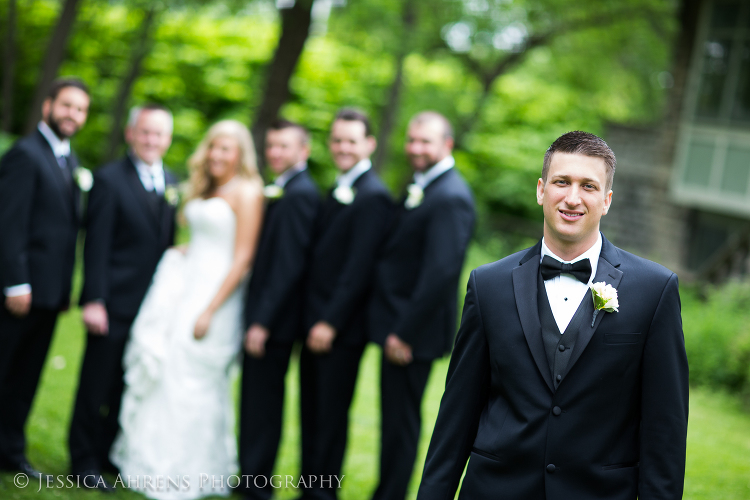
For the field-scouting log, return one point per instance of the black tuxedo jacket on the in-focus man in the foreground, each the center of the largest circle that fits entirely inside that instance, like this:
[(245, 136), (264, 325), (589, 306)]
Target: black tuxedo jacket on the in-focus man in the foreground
[(616, 426)]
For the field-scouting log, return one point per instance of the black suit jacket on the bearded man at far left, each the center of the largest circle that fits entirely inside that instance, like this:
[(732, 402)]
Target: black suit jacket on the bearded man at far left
[(39, 220)]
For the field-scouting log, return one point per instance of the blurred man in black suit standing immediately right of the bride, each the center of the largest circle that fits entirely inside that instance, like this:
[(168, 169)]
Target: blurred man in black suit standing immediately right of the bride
[(275, 300)]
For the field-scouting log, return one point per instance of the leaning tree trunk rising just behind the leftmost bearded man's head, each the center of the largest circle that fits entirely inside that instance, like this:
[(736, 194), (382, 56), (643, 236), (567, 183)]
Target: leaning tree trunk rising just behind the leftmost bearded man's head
[(54, 57)]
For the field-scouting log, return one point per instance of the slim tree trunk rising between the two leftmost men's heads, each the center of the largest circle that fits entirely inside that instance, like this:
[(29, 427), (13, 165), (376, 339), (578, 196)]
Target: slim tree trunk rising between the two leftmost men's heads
[(141, 49)]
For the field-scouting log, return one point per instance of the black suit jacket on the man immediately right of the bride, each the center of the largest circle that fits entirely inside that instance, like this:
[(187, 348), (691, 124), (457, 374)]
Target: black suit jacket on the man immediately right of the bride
[(275, 296)]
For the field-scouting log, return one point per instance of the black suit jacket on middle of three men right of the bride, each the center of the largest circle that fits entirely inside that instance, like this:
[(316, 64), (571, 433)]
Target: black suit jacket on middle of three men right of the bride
[(347, 241)]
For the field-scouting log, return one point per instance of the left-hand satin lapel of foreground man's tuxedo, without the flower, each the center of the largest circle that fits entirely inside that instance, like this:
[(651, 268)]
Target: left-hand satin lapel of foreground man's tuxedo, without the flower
[(525, 290)]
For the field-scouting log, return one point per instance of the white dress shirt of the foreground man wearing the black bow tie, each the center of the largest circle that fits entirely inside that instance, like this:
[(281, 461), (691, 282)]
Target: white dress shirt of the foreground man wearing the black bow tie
[(565, 292)]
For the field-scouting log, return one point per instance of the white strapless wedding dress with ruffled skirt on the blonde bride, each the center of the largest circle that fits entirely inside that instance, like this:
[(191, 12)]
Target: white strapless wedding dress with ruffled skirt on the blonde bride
[(177, 414)]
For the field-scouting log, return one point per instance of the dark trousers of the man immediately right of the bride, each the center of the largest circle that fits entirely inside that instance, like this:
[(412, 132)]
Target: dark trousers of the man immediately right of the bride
[(261, 417)]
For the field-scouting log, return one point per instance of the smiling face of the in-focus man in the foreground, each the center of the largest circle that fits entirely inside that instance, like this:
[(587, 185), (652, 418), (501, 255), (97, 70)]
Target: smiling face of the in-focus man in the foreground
[(574, 199)]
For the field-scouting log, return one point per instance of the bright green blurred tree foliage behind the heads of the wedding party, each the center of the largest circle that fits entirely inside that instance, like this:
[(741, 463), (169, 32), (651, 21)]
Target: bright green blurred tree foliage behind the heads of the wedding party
[(207, 62)]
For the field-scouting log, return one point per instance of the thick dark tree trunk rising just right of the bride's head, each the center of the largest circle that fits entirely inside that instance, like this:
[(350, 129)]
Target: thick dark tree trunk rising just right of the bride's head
[(295, 28)]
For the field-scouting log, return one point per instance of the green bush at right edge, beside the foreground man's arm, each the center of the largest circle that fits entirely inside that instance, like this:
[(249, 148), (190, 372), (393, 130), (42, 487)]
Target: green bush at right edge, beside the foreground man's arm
[(717, 337)]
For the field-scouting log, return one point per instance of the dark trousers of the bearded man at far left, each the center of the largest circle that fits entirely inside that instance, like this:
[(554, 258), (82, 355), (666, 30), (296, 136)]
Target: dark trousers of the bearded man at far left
[(24, 343)]
